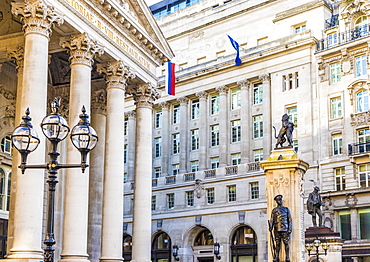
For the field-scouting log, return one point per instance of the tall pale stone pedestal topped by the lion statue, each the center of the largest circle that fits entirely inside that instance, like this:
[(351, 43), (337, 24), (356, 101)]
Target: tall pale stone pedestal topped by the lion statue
[(284, 176)]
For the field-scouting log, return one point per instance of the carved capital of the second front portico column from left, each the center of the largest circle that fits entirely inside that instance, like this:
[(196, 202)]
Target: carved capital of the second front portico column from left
[(82, 48)]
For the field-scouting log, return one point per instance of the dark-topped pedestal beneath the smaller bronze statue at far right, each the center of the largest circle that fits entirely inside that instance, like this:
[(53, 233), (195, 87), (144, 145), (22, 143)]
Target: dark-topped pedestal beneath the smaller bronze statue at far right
[(334, 253)]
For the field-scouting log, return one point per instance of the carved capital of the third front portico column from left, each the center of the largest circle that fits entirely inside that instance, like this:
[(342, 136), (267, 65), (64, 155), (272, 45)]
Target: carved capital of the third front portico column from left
[(116, 74)]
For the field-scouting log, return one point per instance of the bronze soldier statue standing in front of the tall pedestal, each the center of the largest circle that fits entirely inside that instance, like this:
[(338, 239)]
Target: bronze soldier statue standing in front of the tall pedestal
[(280, 227)]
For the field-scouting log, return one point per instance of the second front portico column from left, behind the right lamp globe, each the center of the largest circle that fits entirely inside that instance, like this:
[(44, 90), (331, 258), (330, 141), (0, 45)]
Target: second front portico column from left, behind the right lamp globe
[(82, 50)]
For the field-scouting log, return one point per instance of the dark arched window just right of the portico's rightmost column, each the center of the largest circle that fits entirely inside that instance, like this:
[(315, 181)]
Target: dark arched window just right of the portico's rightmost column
[(161, 248)]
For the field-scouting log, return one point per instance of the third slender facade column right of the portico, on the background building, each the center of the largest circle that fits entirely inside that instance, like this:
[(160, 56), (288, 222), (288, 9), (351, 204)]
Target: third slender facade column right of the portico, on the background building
[(203, 143)]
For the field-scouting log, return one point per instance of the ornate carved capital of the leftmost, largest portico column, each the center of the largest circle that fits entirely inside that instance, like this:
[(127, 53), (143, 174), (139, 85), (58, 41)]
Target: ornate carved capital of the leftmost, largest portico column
[(37, 17)]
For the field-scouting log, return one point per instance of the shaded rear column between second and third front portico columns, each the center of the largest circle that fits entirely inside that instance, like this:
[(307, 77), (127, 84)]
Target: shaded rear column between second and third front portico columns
[(98, 120)]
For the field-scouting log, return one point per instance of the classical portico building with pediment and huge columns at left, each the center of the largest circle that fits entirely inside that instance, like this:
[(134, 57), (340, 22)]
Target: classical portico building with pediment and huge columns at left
[(85, 53)]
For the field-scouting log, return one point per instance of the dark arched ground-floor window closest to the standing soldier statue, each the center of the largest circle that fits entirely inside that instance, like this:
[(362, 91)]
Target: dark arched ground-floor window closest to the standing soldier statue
[(244, 245)]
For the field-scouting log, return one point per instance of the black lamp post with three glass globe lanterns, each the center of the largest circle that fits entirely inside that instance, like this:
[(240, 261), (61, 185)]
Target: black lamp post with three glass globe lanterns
[(55, 128)]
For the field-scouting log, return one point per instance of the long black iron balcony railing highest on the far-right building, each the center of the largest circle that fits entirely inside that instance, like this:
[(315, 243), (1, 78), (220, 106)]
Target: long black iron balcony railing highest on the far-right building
[(343, 38)]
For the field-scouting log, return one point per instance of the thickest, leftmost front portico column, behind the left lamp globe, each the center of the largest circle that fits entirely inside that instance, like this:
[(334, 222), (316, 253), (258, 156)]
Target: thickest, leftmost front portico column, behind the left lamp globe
[(38, 19)]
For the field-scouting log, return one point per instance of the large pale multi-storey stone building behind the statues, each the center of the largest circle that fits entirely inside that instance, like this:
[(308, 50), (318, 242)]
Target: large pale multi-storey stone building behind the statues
[(306, 58)]
